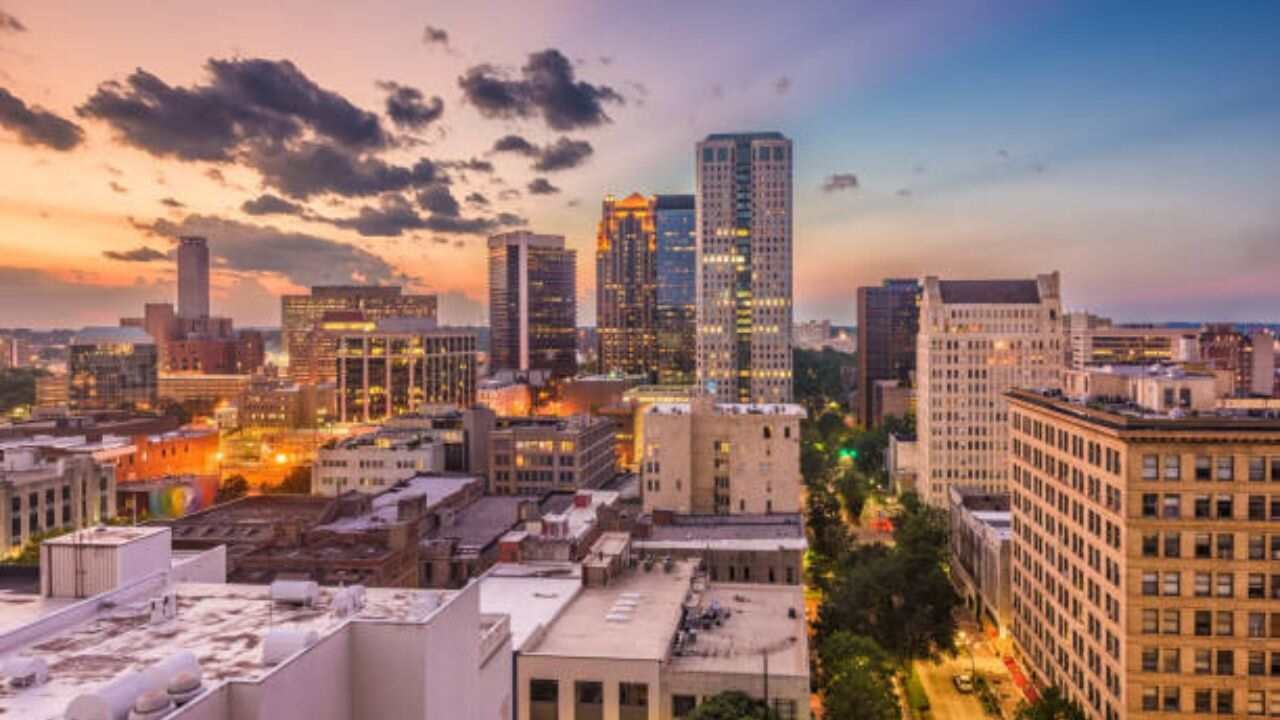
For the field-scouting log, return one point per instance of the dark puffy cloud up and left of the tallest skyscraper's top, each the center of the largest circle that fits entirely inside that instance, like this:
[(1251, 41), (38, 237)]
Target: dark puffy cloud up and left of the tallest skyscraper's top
[(547, 88)]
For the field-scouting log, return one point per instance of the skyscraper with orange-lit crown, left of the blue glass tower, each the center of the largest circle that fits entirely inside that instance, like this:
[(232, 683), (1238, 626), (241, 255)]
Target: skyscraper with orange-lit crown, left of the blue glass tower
[(627, 293)]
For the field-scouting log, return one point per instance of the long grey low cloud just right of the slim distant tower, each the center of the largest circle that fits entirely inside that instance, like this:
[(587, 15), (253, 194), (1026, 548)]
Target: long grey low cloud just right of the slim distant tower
[(304, 259)]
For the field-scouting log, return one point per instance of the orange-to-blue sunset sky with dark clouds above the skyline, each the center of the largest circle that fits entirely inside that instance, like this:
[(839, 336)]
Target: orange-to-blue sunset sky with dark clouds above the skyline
[(1135, 149)]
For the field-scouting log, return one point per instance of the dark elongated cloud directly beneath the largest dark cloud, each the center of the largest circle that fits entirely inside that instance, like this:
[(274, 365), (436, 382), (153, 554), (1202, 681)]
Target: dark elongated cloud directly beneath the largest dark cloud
[(317, 170)]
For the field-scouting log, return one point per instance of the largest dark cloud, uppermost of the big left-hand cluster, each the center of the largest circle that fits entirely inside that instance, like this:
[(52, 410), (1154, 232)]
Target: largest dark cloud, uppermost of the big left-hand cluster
[(249, 106)]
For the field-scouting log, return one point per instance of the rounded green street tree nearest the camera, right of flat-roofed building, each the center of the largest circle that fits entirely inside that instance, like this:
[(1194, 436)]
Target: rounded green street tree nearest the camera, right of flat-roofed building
[(857, 680)]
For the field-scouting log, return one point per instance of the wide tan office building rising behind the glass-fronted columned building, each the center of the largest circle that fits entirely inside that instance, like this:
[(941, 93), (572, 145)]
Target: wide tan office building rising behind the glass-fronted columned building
[(312, 349)]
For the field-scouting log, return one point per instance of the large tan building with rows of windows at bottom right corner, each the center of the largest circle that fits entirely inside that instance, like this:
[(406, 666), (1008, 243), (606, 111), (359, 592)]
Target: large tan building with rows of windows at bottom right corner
[(1148, 557)]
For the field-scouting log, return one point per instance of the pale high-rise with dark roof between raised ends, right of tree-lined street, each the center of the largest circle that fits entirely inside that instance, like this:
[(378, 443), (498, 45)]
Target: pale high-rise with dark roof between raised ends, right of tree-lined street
[(977, 340)]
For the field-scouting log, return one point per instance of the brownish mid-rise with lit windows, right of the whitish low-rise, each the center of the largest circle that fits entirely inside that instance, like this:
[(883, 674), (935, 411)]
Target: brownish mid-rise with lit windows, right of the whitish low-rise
[(537, 455)]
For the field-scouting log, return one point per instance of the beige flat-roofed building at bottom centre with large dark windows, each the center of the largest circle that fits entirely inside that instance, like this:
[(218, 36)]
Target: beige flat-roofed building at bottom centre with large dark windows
[(655, 641)]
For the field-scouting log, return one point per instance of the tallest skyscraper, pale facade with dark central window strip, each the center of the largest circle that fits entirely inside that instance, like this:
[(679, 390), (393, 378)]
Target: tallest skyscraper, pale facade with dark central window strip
[(744, 267)]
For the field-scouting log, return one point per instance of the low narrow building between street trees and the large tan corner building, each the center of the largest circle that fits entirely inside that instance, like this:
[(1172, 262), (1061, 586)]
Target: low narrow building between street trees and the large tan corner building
[(981, 543)]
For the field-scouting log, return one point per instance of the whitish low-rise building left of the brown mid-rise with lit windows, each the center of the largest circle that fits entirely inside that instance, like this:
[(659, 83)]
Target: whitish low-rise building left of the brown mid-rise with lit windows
[(374, 462)]
